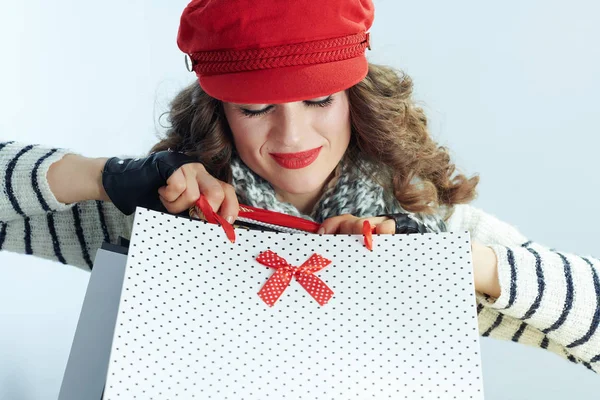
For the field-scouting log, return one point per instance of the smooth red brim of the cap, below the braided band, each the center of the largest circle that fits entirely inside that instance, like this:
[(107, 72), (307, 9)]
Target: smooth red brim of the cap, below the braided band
[(287, 84)]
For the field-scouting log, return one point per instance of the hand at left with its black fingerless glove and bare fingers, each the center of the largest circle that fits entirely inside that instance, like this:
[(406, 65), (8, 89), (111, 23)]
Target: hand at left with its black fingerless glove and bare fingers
[(165, 181)]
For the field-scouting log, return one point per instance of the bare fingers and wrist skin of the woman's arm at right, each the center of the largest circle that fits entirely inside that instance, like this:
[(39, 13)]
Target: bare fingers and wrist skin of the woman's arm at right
[(485, 264)]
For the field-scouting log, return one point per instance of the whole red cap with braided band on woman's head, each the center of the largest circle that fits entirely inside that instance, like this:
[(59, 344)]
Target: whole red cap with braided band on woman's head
[(276, 51)]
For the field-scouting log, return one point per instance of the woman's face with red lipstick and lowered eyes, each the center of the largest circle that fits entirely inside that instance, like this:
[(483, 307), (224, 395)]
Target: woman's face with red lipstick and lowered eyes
[(295, 146)]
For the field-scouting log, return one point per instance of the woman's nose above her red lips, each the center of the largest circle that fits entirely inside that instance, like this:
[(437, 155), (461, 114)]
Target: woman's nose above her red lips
[(291, 126)]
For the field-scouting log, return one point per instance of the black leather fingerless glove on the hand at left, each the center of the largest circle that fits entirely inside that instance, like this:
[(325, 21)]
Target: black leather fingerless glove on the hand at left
[(135, 182)]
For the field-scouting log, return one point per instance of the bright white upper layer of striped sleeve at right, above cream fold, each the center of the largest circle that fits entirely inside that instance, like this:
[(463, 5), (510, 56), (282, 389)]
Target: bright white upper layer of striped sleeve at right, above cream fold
[(554, 291)]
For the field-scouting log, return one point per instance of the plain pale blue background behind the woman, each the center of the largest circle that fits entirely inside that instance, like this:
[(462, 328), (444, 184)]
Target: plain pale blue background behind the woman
[(511, 87)]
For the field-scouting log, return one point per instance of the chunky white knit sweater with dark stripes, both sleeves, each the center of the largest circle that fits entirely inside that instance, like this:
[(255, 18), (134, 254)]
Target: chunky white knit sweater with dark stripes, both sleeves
[(549, 299)]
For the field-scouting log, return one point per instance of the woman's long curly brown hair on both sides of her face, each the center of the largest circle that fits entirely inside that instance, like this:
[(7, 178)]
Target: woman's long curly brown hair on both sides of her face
[(388, 129)]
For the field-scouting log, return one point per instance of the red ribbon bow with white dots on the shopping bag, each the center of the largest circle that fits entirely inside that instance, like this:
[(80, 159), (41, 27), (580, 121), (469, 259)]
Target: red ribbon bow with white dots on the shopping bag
[(279, 281)]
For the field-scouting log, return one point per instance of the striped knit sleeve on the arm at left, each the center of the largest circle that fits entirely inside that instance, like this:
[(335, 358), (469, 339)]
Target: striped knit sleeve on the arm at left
[(33, 222)]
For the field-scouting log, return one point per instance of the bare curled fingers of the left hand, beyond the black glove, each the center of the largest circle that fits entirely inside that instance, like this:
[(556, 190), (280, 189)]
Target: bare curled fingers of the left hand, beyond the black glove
[(185, 185)]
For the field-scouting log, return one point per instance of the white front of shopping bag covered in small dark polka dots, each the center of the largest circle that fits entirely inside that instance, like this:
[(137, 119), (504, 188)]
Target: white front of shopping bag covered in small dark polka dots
[(402, 323)]
